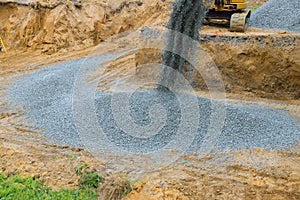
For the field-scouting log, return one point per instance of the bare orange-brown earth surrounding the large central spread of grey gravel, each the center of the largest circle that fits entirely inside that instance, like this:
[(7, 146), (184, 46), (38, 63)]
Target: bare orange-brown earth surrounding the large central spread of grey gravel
[(259, 67)]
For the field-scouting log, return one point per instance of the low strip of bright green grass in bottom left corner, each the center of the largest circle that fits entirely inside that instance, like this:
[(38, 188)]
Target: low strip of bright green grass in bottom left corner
[(13, 187)]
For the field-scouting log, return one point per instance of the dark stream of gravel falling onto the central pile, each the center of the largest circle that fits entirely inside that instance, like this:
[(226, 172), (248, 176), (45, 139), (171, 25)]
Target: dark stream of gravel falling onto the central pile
[(186, 19)]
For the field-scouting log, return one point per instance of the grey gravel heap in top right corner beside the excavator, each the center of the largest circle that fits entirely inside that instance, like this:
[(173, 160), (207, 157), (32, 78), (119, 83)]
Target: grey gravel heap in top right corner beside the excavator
[(278, 14)]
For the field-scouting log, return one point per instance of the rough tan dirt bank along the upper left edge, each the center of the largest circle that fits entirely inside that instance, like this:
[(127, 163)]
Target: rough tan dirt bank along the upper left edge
[(61, 26)]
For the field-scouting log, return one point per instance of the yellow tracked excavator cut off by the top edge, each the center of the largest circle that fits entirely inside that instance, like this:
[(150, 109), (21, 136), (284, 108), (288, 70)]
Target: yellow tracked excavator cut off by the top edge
[(228, 12)]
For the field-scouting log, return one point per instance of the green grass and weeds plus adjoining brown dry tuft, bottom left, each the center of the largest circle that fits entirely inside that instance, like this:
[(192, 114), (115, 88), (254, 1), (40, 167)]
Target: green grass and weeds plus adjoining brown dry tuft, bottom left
[(14, 187)]
